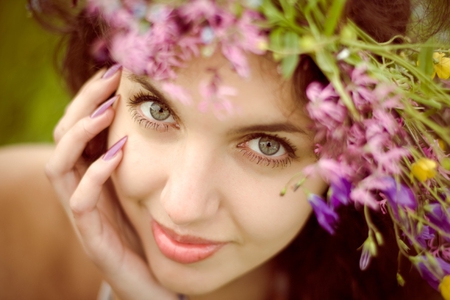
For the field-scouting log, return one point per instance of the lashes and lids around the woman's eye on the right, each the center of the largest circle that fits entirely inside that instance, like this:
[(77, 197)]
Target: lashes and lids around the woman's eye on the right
[(267, 160)]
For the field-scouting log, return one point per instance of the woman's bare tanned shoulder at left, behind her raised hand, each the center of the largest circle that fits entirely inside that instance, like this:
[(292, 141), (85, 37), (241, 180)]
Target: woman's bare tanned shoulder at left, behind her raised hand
[(40, 257)]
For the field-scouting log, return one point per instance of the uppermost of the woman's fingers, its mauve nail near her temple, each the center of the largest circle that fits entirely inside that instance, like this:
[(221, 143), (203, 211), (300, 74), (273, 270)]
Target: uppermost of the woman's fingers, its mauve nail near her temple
[(96, 90)]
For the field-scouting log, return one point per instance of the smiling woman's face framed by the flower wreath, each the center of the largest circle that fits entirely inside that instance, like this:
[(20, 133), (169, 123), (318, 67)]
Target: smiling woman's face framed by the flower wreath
[(202, 192)]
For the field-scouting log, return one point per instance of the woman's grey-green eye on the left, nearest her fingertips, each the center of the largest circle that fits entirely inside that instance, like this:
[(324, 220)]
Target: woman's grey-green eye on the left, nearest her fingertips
[(150, 112)]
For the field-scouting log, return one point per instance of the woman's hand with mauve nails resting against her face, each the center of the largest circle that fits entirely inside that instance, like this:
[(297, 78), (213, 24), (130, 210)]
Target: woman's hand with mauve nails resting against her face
[(87, 194)]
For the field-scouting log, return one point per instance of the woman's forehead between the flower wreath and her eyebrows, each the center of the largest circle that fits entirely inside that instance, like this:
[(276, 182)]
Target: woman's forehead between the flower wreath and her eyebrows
[(264, 94)]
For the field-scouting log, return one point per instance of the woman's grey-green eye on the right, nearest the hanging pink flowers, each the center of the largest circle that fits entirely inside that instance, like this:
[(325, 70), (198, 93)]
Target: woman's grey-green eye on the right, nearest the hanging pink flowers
[(268, 150)]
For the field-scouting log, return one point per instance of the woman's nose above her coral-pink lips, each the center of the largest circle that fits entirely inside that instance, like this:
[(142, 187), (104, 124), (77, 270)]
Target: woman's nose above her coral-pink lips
[(191, 191)]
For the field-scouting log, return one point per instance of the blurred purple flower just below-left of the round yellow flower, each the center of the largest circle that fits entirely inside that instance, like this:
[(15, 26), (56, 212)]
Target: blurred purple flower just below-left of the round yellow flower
[(398, 195)]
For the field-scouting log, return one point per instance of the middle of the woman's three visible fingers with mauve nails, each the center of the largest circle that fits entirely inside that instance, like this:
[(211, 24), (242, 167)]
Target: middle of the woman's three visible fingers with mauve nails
[(71, 146)]
